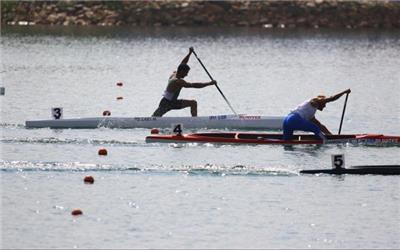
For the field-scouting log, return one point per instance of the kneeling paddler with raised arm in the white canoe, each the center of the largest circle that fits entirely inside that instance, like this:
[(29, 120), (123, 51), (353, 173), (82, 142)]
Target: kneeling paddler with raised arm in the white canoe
[(175, 84)]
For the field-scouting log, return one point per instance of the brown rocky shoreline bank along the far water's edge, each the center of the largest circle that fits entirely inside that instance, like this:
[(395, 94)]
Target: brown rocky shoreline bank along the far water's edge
[(312, 14)]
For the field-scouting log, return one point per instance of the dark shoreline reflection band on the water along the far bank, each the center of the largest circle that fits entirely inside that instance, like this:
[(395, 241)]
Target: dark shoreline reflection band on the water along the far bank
[(193, 32)]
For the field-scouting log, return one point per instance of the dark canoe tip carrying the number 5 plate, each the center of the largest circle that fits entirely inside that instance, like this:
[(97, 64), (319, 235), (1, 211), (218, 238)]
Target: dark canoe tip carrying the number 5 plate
[(361, 170)]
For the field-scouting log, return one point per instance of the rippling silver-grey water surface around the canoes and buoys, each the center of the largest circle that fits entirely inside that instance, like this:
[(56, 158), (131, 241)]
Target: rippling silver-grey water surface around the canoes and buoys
[(194, 196)]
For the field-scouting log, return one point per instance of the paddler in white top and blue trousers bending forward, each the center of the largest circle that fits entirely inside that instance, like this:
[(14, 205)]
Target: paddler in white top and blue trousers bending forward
[(303, 117)]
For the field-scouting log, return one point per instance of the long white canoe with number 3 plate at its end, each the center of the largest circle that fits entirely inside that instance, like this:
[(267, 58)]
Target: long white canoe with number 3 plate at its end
[(216, 122)]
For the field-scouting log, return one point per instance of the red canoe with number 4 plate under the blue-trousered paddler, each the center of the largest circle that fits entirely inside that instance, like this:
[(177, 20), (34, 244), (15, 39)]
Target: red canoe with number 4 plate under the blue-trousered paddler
[(274, 139)]
